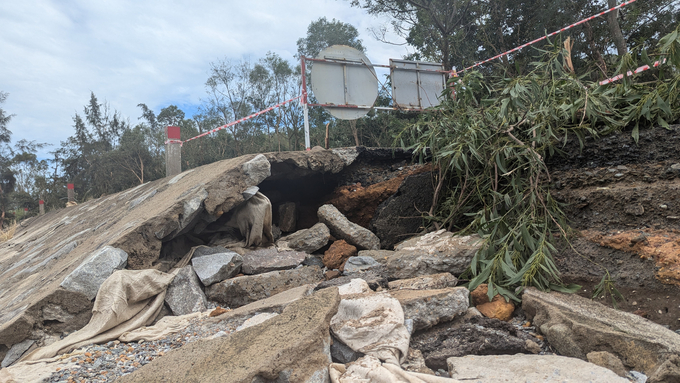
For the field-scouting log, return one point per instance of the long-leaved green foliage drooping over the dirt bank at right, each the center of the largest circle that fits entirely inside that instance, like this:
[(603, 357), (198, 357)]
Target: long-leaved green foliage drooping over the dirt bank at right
[(490, 143)]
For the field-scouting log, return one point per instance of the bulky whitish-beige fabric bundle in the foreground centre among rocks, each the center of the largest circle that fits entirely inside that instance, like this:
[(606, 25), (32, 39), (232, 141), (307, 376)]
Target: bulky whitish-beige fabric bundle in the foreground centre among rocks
[(373, 324)]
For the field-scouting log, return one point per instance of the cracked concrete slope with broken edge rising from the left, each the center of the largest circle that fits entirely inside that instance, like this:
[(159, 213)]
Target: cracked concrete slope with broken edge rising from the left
[(46, 249)]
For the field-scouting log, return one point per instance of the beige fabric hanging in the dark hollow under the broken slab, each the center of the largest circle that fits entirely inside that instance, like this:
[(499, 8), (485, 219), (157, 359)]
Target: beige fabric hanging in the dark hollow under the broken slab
[(253, 218)]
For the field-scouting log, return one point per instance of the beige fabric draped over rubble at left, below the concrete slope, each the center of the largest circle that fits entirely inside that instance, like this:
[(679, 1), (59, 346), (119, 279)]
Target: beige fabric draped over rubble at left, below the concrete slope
[(127, 300)]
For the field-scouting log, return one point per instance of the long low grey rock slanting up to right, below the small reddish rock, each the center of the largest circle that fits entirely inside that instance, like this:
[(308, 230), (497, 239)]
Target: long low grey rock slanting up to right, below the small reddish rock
[(240, 291)]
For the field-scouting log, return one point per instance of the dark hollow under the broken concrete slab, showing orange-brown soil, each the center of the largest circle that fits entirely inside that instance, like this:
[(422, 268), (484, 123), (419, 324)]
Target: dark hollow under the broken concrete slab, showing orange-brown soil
[(356, 191)]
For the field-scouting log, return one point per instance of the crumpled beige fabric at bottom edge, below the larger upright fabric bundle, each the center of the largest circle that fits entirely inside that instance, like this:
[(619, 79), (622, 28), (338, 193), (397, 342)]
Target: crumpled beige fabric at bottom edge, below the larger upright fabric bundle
[(369, 369)]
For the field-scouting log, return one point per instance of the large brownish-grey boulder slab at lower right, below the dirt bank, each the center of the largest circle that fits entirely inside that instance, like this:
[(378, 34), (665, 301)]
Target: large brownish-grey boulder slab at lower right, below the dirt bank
[(576, 326)]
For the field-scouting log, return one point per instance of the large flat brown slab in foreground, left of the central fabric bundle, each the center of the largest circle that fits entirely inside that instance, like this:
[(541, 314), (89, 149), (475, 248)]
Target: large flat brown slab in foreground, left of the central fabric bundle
[(292, 347)]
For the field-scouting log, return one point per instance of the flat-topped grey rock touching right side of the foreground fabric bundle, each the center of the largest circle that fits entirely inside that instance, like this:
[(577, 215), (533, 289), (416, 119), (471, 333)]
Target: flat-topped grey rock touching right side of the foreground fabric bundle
[(430, 307)]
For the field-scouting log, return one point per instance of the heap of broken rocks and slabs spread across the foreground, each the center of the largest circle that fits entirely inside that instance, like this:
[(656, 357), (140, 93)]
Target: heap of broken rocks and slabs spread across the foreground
[(325, 303)]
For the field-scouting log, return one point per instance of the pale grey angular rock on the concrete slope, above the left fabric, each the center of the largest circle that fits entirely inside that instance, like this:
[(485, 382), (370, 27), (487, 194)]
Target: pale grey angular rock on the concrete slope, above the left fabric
[(87, 277)]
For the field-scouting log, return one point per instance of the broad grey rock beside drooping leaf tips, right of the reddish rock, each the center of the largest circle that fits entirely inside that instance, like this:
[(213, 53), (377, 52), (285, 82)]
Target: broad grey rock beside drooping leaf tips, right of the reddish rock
[(433, 253)]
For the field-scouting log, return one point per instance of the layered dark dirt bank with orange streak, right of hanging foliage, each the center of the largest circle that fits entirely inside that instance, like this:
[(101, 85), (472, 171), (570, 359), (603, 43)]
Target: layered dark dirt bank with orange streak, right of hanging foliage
[(624, 198)]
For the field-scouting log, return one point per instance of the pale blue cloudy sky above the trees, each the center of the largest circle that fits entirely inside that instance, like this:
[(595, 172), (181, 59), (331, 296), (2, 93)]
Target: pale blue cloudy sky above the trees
[(54, 53)]
